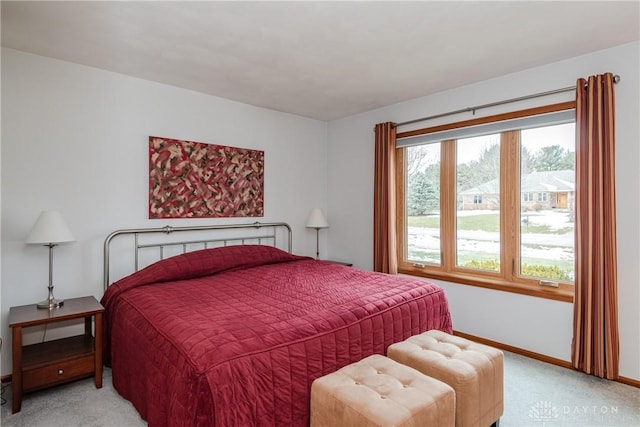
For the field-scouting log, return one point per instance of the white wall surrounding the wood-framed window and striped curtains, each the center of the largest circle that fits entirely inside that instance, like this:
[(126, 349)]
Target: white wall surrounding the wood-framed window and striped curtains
[(535, 324)]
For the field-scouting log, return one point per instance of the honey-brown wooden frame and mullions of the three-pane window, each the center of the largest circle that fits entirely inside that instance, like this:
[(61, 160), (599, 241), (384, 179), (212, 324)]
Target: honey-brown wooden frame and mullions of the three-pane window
[(509, 279)]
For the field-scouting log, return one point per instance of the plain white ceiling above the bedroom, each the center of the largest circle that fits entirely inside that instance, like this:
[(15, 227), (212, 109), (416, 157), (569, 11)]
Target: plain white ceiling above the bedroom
[(323, 60)]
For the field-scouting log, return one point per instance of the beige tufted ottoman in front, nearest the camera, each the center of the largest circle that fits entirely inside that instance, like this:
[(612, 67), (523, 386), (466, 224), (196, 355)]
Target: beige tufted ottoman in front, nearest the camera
[(377, 391)]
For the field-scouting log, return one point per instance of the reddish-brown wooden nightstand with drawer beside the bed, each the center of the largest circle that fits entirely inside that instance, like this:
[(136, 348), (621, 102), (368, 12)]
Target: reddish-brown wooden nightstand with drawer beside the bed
[(50, 363)]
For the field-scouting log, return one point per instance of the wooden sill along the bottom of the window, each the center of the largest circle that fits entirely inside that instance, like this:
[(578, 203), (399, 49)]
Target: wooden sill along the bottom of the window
[(562, 293)]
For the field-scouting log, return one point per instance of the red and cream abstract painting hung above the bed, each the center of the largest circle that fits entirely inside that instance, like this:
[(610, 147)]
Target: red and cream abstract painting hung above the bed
[(196, 180)]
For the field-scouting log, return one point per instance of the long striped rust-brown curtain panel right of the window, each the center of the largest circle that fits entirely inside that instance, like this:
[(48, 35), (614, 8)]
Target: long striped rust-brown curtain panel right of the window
[(595, 348)]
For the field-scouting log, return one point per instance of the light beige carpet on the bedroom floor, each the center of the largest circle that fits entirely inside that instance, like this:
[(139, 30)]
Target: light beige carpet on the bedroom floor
[(536, 395)]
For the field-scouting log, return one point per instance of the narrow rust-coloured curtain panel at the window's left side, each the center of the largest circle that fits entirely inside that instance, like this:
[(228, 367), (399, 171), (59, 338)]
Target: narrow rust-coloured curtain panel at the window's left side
[(384, 200)]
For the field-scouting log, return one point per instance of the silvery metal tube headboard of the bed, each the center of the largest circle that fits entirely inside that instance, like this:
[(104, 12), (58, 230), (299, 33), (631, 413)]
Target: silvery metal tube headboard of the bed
[(255, 233)]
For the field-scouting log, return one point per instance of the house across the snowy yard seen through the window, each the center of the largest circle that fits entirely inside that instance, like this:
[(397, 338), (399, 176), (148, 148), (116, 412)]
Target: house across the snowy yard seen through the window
[(539, 190)]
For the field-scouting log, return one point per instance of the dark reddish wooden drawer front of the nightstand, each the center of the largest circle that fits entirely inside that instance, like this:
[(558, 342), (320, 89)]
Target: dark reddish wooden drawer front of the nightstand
[(58, 373)]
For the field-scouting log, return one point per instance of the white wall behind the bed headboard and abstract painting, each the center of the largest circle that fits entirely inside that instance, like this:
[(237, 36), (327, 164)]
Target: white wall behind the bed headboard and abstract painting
[(75, 139)]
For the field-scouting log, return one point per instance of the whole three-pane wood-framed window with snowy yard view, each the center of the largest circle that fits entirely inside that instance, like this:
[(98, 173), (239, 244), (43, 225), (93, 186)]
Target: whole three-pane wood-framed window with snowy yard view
[(492, 204)]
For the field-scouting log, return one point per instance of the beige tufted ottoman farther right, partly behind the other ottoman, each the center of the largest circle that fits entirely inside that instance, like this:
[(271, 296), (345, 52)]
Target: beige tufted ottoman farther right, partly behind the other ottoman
[(475, 372)]
